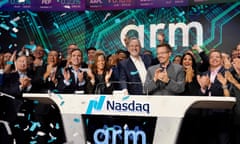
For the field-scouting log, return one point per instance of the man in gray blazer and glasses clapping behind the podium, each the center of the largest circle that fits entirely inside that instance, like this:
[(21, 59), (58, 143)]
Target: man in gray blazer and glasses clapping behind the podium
[(165, 78)]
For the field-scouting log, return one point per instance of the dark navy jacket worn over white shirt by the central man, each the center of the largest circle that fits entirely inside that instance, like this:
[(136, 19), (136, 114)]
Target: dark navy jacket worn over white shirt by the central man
[(129, 76)]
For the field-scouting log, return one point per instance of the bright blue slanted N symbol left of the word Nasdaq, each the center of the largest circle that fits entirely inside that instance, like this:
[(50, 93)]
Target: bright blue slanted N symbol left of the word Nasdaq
[(94, 104)]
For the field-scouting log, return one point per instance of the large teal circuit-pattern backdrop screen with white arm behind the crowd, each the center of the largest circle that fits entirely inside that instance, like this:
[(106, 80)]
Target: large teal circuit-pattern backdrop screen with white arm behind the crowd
[(211, 25)]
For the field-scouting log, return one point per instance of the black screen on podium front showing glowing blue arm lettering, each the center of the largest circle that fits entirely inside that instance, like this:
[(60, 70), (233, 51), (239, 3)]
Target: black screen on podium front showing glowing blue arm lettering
[(105, 129)]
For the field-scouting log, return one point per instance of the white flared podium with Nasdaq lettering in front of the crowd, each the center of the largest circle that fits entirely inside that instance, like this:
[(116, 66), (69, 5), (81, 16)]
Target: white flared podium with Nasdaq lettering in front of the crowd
[(168, 111)]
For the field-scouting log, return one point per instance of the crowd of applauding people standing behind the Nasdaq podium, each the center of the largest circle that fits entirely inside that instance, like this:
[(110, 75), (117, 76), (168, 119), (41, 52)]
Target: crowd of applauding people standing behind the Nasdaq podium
[(129, 71)]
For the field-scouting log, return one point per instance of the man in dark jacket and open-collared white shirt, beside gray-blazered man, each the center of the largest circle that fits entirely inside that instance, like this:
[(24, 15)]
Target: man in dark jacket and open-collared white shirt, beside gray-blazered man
[(133, 70)]
